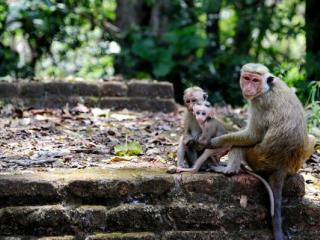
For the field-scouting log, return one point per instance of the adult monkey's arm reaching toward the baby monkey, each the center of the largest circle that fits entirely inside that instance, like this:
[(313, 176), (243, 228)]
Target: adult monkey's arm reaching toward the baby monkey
[(246, 137)]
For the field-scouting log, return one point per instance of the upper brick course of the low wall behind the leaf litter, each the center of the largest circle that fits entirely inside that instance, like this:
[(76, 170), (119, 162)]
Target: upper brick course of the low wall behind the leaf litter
[(132, 88)]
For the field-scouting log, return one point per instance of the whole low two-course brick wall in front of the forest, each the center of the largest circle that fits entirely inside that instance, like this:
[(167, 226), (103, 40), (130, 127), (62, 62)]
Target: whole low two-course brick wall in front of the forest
[(133, 95)]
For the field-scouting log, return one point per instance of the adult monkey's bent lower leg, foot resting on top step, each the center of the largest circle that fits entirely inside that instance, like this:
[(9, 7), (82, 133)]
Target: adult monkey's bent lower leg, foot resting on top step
[(236, 156)]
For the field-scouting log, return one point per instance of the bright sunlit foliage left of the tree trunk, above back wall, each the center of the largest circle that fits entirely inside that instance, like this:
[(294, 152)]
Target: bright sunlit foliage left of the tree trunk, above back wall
[(60, 38)]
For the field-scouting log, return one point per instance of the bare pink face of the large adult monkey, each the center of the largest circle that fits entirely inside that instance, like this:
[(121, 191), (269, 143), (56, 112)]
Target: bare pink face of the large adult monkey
[(251, 84)]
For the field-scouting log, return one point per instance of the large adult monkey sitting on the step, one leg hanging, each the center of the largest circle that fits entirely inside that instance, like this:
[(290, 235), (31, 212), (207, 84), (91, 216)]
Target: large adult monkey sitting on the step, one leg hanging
[(275, 141)]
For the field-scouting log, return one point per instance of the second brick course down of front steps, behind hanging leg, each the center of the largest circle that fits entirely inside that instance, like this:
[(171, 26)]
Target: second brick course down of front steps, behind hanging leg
[(58, 219)]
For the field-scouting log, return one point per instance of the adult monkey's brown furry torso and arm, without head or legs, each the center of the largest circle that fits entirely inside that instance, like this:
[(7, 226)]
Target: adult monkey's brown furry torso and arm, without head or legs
[(276, 130)]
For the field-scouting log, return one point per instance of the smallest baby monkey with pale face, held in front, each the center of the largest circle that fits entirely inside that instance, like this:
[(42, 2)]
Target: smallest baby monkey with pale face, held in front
[(210, 128)]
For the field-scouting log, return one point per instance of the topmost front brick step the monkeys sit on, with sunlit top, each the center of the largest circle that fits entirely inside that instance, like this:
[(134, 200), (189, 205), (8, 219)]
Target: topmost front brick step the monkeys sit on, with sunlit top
[(112, 187)]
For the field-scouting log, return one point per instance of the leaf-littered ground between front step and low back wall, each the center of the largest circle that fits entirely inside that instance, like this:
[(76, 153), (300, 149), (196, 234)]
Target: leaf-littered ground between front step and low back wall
[(33, 140)]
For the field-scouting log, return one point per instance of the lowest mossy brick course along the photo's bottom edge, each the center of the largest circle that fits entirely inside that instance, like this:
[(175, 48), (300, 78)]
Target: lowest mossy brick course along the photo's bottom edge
[(178, 235)]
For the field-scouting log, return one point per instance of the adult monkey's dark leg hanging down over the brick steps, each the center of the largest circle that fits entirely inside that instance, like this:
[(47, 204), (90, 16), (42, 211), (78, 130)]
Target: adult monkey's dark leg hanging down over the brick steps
[(276, 183)]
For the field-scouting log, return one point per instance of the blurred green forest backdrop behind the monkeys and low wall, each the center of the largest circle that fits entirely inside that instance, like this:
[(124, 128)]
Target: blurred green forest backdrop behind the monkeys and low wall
[(186, 42)]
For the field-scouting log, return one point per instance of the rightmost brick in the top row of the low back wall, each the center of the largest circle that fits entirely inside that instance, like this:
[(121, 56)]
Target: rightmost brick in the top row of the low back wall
[(149, 89)]
